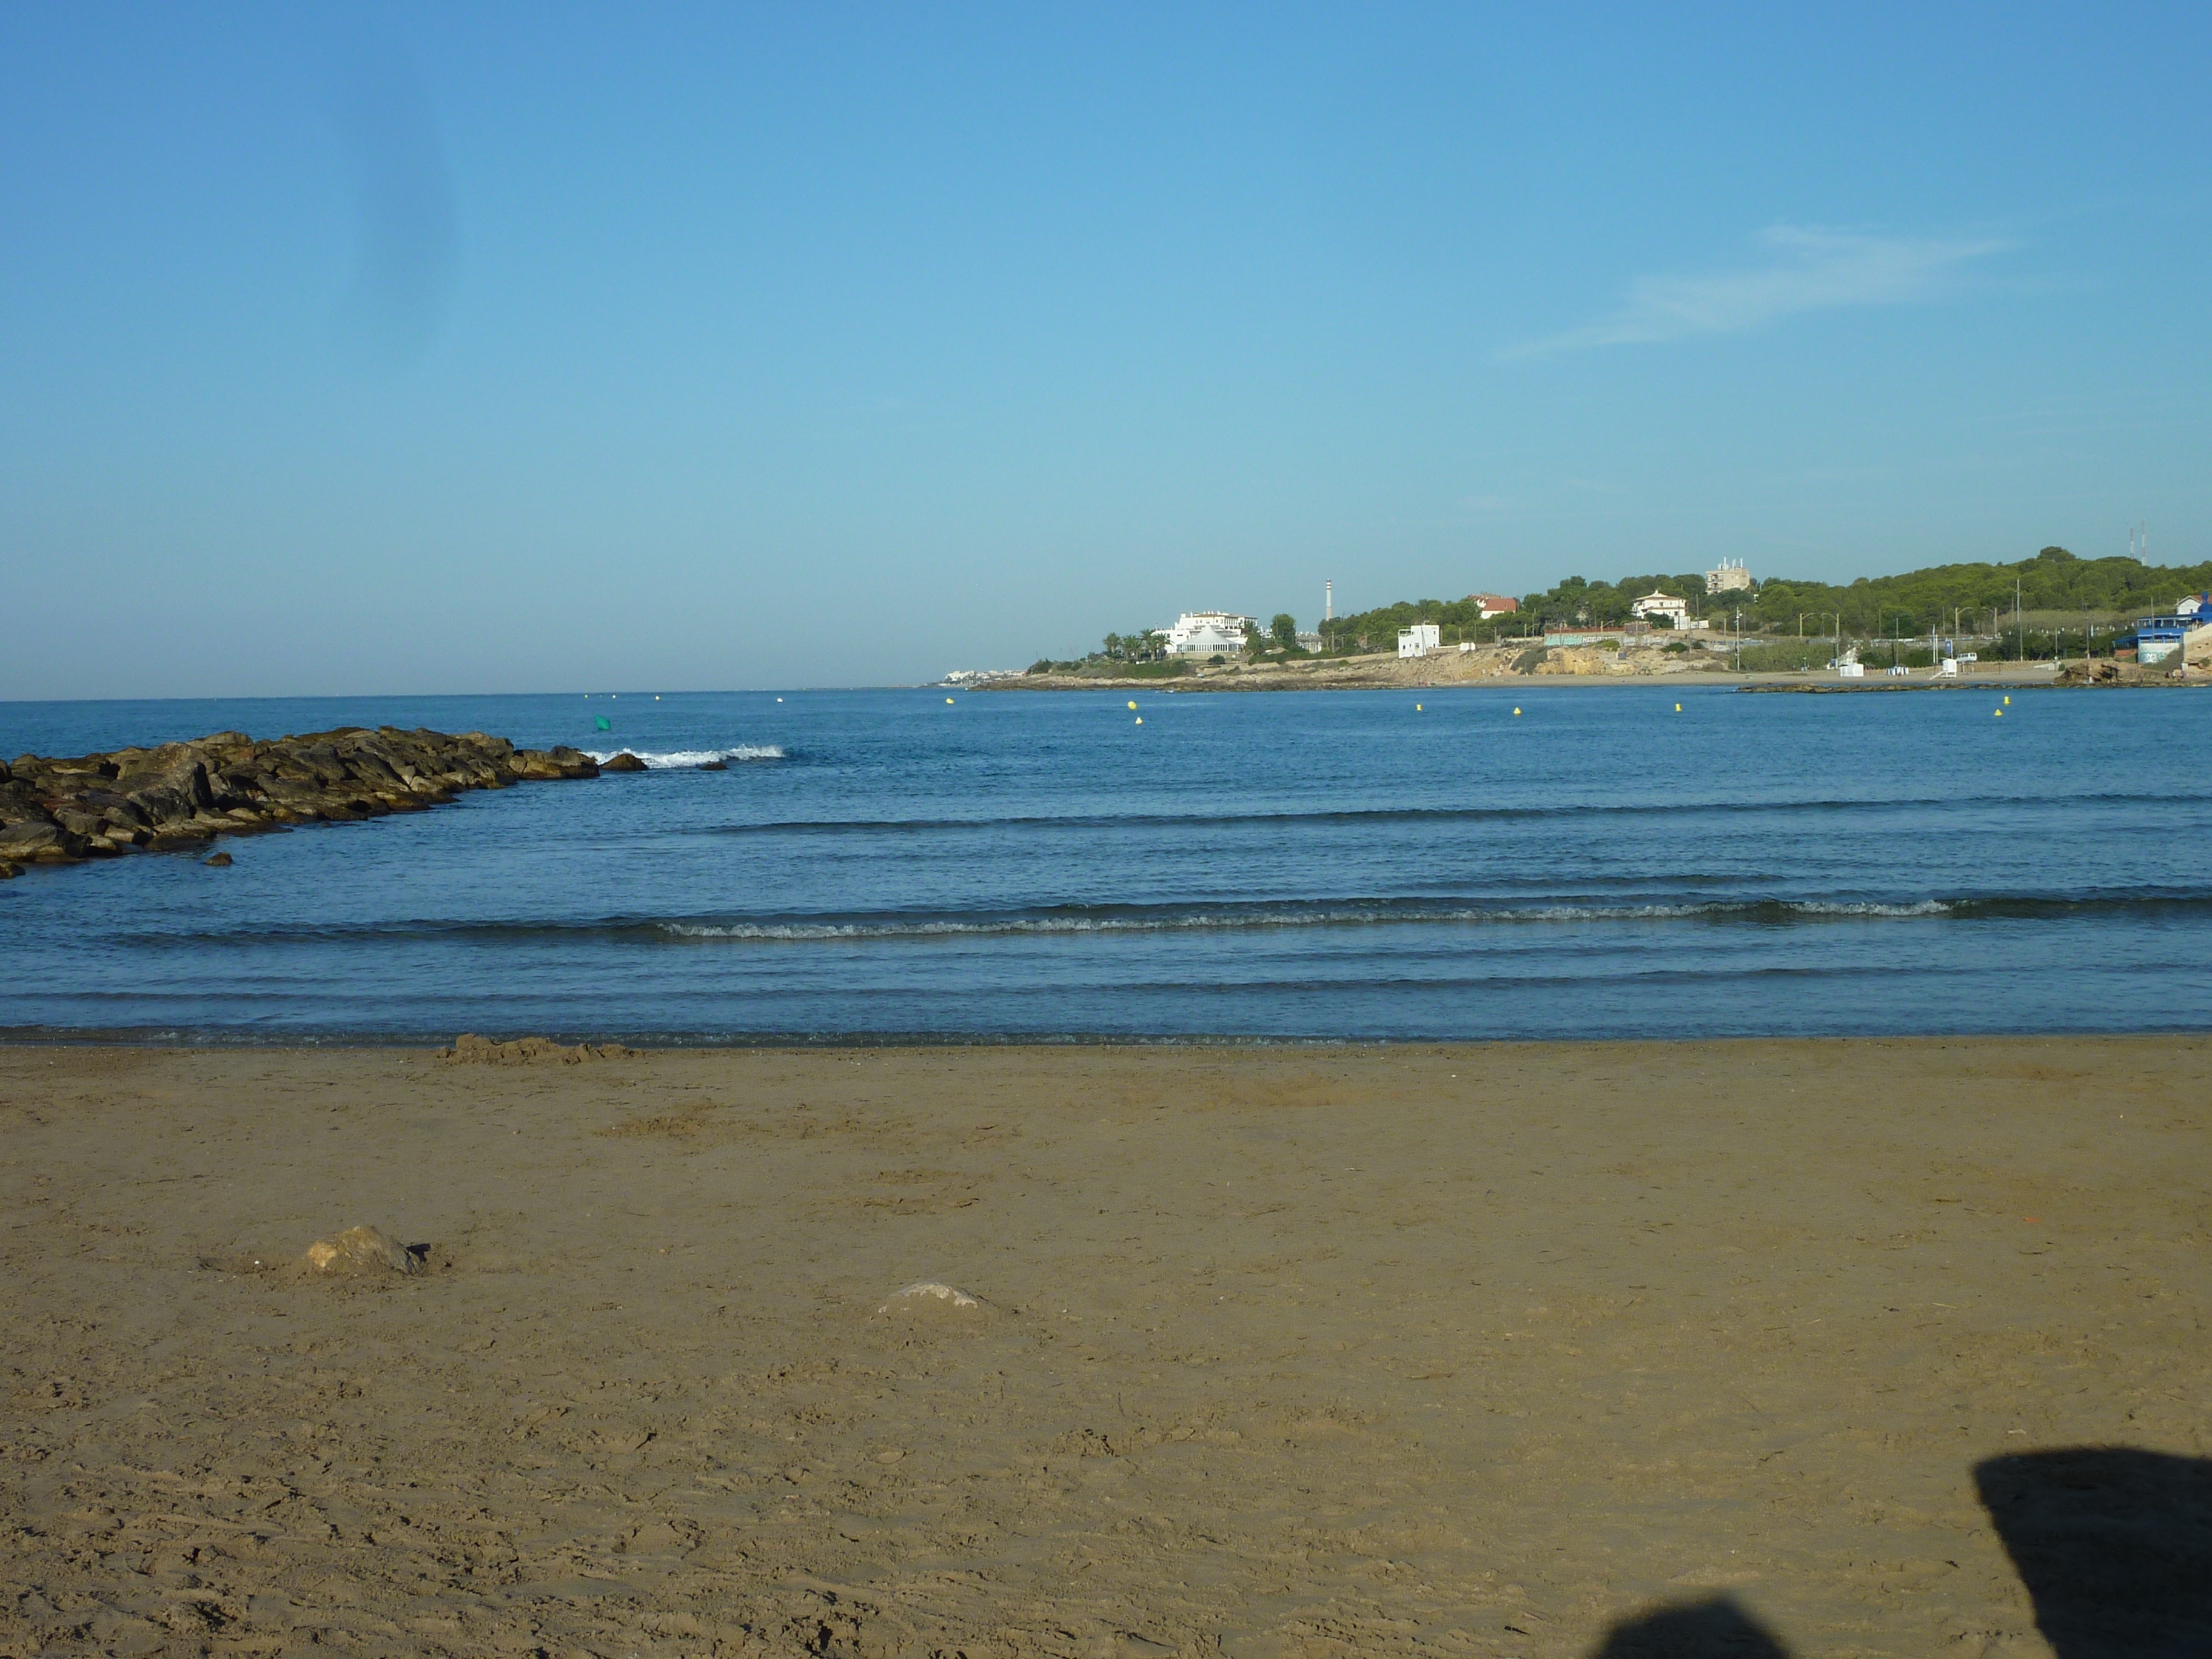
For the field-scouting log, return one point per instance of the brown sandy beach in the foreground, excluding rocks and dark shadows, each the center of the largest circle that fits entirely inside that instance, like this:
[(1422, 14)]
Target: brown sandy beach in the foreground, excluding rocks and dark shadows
[(1468, 1350)]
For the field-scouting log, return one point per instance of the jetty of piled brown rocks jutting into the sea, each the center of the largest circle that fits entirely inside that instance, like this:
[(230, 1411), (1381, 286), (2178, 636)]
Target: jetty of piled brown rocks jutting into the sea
[(178, 797)]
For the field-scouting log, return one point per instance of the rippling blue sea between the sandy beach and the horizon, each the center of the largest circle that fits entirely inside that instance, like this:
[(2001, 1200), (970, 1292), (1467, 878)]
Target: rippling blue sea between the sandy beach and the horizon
[(1269, 866)]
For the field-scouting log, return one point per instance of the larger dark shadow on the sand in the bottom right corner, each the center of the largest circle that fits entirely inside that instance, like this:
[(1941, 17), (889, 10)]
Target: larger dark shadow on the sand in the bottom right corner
[(2116, 1547)]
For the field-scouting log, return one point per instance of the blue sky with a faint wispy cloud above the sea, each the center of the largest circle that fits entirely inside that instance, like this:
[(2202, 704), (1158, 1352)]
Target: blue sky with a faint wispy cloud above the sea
[(528, 348)]
